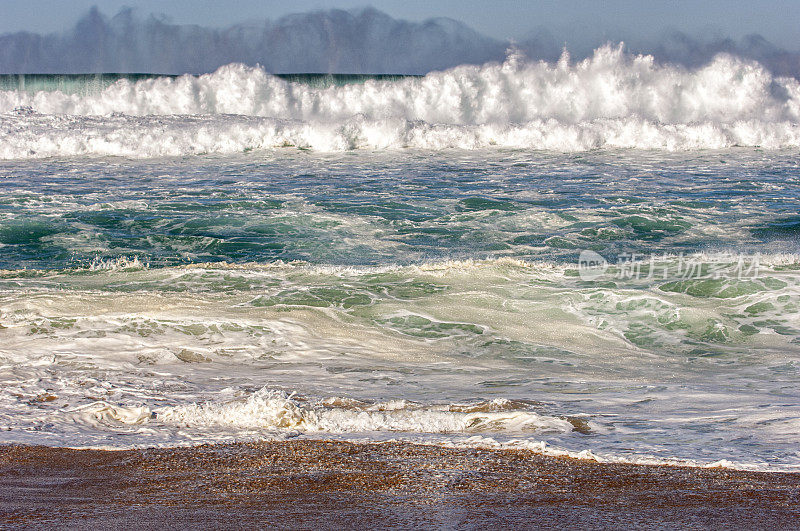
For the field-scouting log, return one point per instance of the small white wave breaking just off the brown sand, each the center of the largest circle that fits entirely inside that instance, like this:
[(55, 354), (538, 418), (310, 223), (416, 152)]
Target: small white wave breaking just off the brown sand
[(272, 410)]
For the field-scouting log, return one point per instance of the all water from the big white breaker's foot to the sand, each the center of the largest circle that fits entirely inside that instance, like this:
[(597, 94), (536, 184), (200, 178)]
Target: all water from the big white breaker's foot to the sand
[(434, 296)]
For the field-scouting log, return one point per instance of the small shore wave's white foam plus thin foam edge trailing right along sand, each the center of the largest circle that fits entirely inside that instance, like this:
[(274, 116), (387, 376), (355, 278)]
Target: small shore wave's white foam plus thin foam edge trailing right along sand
[(269, 414)]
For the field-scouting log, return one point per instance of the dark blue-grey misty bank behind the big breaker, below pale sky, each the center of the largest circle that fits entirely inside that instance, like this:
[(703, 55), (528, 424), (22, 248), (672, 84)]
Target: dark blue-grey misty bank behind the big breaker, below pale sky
[(337, 41)]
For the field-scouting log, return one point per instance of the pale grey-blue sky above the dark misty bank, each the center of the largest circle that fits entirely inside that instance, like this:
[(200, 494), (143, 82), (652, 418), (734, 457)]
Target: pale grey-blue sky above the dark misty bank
[(777, 20)]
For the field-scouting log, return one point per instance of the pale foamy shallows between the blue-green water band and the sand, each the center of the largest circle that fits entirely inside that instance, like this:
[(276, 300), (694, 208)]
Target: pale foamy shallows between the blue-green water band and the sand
[(90, 355)]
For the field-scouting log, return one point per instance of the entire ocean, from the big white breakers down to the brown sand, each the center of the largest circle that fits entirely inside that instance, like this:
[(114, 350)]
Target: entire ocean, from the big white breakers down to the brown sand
[(595, 258)]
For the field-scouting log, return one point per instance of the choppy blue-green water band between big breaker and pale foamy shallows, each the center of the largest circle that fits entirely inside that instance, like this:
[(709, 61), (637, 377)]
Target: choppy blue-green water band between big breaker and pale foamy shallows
[(372, 210)]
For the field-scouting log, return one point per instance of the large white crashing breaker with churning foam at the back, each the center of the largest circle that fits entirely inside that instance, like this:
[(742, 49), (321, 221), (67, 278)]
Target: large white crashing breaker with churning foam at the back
[(611, 100)]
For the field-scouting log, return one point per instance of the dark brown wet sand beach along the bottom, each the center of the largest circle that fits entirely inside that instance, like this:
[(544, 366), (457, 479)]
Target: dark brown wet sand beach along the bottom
[(314, 484)]
